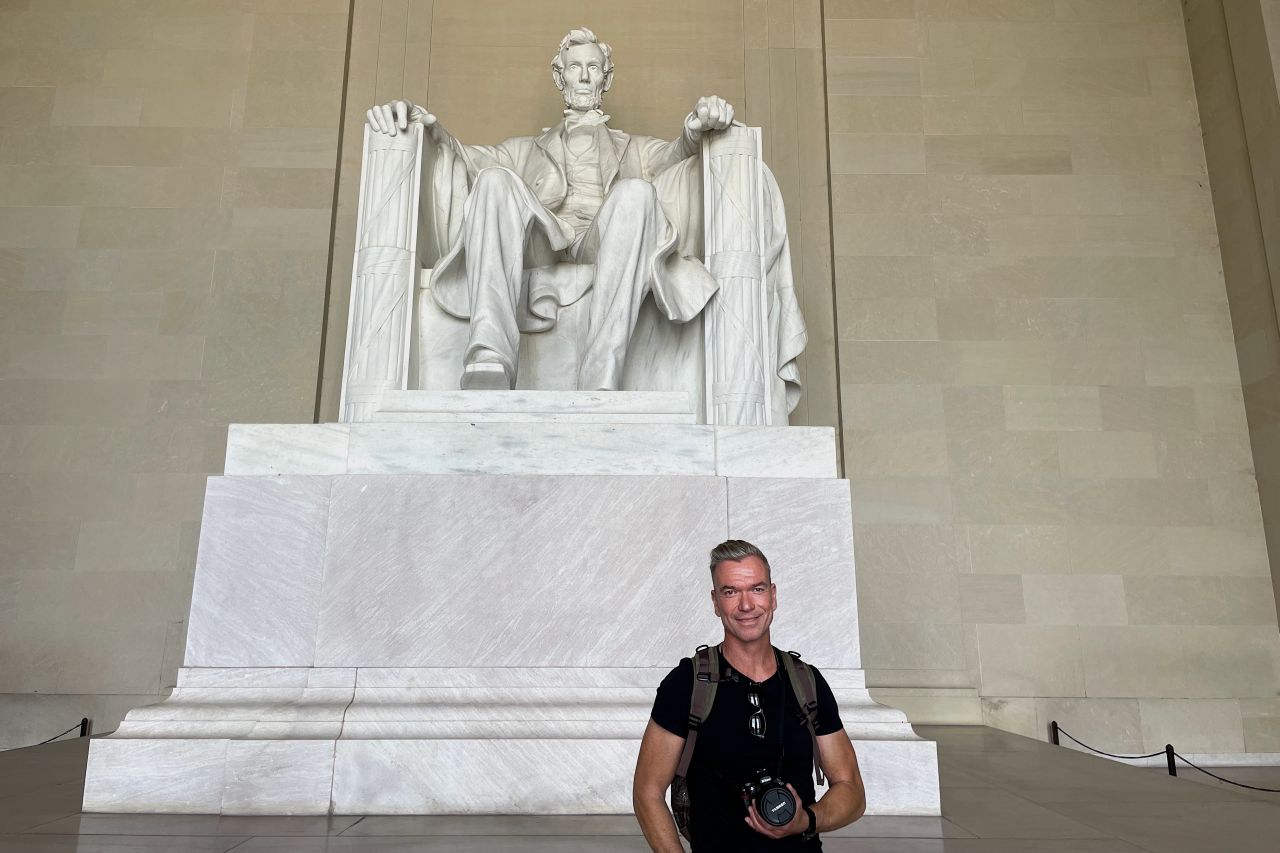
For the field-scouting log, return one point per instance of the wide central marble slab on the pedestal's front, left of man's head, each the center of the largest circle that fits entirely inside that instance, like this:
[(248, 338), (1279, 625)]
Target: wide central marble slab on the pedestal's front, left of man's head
[(492, 571)]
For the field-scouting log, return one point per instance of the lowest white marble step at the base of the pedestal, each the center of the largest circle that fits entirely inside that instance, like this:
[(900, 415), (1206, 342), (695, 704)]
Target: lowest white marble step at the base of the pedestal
[(427, 777)]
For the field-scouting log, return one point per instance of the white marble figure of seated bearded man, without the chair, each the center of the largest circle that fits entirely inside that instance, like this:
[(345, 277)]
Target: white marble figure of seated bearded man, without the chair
[(618, 209)]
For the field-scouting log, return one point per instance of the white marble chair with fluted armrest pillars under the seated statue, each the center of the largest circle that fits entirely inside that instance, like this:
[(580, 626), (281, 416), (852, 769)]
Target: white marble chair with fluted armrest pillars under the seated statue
[(399, 339)]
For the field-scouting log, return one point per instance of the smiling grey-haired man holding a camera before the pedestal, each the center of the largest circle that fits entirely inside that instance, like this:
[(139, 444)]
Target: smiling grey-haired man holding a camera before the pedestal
[(732, 745)]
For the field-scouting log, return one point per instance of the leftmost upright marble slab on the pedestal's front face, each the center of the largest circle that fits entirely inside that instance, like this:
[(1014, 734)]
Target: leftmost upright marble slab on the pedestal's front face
[(259, 572)]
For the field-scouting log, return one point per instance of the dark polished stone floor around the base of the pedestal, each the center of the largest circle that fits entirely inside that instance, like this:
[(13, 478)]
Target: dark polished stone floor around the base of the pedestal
[(1000, 795)]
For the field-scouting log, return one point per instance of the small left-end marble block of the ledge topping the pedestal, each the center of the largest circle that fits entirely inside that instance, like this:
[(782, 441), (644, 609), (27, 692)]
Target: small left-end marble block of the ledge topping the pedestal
[(287, 449)]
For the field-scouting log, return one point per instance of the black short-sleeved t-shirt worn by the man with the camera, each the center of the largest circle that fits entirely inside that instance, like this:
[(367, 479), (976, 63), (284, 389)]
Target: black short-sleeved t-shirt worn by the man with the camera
[(728, 754)]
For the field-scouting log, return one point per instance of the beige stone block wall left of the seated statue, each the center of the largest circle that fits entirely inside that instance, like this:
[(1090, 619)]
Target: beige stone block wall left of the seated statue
[(167, 180)]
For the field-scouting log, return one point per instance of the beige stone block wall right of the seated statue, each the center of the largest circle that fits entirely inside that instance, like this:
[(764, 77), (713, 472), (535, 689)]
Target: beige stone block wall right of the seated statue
[(1054, 498)]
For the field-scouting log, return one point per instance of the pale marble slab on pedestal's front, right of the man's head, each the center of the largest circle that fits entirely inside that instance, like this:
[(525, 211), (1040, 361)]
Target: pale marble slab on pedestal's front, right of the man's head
[(803, 526)]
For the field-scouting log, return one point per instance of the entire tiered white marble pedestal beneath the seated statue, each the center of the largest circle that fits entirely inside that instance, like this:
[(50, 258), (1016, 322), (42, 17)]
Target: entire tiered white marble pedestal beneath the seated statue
[(444, 614)]
